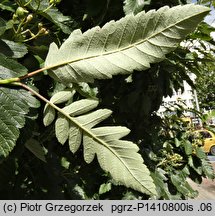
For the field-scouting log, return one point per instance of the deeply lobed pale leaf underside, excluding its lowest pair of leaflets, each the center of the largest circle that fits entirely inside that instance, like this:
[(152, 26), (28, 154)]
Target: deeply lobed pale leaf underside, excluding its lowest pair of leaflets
[(76, 123)]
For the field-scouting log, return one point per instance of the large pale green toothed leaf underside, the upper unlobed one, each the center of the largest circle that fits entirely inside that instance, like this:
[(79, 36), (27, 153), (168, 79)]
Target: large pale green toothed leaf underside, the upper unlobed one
[(132, 43)]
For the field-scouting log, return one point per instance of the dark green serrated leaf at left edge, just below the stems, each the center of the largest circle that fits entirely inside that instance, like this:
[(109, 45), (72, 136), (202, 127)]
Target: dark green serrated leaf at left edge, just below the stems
[(14, 105)]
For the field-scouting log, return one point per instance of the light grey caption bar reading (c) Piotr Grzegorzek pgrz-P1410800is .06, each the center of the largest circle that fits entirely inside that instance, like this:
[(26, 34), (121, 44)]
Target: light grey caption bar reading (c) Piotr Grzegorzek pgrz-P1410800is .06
[(107, 207)]
